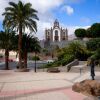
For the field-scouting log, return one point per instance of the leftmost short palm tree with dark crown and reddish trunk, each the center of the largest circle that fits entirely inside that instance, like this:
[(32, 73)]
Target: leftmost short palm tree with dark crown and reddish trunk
[(6, 43)]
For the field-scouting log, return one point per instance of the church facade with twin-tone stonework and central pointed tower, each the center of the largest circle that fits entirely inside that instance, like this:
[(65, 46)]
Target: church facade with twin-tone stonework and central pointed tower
[(56, 33)]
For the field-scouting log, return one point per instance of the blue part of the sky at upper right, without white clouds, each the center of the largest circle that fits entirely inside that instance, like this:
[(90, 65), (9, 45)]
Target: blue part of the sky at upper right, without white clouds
[(84, 13)]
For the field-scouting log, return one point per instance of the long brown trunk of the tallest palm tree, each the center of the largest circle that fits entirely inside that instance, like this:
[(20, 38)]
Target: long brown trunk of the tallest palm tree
[(20, 46)]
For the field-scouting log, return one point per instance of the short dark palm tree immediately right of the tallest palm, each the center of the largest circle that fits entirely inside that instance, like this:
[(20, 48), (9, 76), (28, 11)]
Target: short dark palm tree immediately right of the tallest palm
[(29, 44)]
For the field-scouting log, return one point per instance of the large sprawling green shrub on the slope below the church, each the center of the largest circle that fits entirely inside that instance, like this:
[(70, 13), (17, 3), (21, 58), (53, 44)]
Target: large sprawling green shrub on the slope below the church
[(74, 50)]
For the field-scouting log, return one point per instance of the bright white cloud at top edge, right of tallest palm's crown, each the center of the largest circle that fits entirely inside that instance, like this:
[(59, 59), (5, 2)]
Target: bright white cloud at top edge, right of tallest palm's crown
[(44, 5)]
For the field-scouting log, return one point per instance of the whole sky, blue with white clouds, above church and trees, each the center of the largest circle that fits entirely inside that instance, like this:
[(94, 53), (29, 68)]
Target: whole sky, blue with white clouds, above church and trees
[(71, 14)]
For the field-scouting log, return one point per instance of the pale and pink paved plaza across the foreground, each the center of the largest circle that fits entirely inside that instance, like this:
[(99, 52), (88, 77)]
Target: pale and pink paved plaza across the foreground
[(40, 86)]
